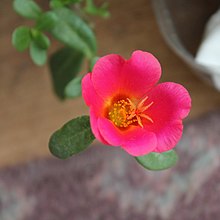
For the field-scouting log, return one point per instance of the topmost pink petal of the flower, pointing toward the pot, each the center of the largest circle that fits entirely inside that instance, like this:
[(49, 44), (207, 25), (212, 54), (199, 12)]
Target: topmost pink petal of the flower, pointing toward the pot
[(141, 72)]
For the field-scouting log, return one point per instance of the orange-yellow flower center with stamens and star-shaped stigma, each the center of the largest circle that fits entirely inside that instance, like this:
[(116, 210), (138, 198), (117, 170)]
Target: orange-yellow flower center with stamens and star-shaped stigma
[(125, 112)]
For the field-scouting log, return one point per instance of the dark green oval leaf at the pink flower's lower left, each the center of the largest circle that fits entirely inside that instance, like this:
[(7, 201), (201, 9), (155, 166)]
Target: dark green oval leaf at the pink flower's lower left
[(74, 137)]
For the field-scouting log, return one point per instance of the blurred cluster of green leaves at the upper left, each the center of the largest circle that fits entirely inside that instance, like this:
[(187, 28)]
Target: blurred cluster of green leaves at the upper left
[(64, 22)]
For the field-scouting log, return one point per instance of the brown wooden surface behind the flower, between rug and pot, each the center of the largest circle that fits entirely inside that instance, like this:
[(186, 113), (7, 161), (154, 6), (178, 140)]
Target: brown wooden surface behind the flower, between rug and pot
[(29, 111)]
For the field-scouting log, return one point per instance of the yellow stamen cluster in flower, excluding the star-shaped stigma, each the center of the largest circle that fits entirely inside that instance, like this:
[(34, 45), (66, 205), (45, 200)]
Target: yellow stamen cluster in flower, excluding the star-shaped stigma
[(120, 113)]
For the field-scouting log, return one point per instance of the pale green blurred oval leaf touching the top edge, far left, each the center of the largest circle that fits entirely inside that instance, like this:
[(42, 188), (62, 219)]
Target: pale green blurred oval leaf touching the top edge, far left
[(27, 8)]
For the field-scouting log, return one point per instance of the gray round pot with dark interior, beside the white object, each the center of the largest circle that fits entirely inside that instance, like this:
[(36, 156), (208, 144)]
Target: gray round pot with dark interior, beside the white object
[(182, 24)]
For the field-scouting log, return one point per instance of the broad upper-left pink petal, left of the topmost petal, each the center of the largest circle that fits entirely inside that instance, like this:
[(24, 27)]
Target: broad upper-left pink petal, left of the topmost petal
[(106, 75)]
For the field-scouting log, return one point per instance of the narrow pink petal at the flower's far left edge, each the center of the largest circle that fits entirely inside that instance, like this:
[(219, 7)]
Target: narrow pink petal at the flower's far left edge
[(90, 96)]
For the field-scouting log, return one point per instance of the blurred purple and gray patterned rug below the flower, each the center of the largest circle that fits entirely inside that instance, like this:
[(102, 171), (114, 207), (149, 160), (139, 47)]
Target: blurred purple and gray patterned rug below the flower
[(104, 183)]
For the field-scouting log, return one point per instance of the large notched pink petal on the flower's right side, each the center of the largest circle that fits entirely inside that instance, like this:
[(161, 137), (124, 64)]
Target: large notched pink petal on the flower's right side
[(171, 104)]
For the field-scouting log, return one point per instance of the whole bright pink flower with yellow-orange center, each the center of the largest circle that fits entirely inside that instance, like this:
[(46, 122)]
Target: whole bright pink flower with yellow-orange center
[(128, 109)]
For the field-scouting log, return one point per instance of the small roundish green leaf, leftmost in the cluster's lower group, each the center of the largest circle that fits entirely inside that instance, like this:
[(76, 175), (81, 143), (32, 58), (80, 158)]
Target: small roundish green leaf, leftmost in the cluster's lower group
[(21, 38)]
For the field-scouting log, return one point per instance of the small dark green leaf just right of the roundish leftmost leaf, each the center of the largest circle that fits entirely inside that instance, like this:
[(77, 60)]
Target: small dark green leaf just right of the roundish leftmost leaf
[(40, 39)]
